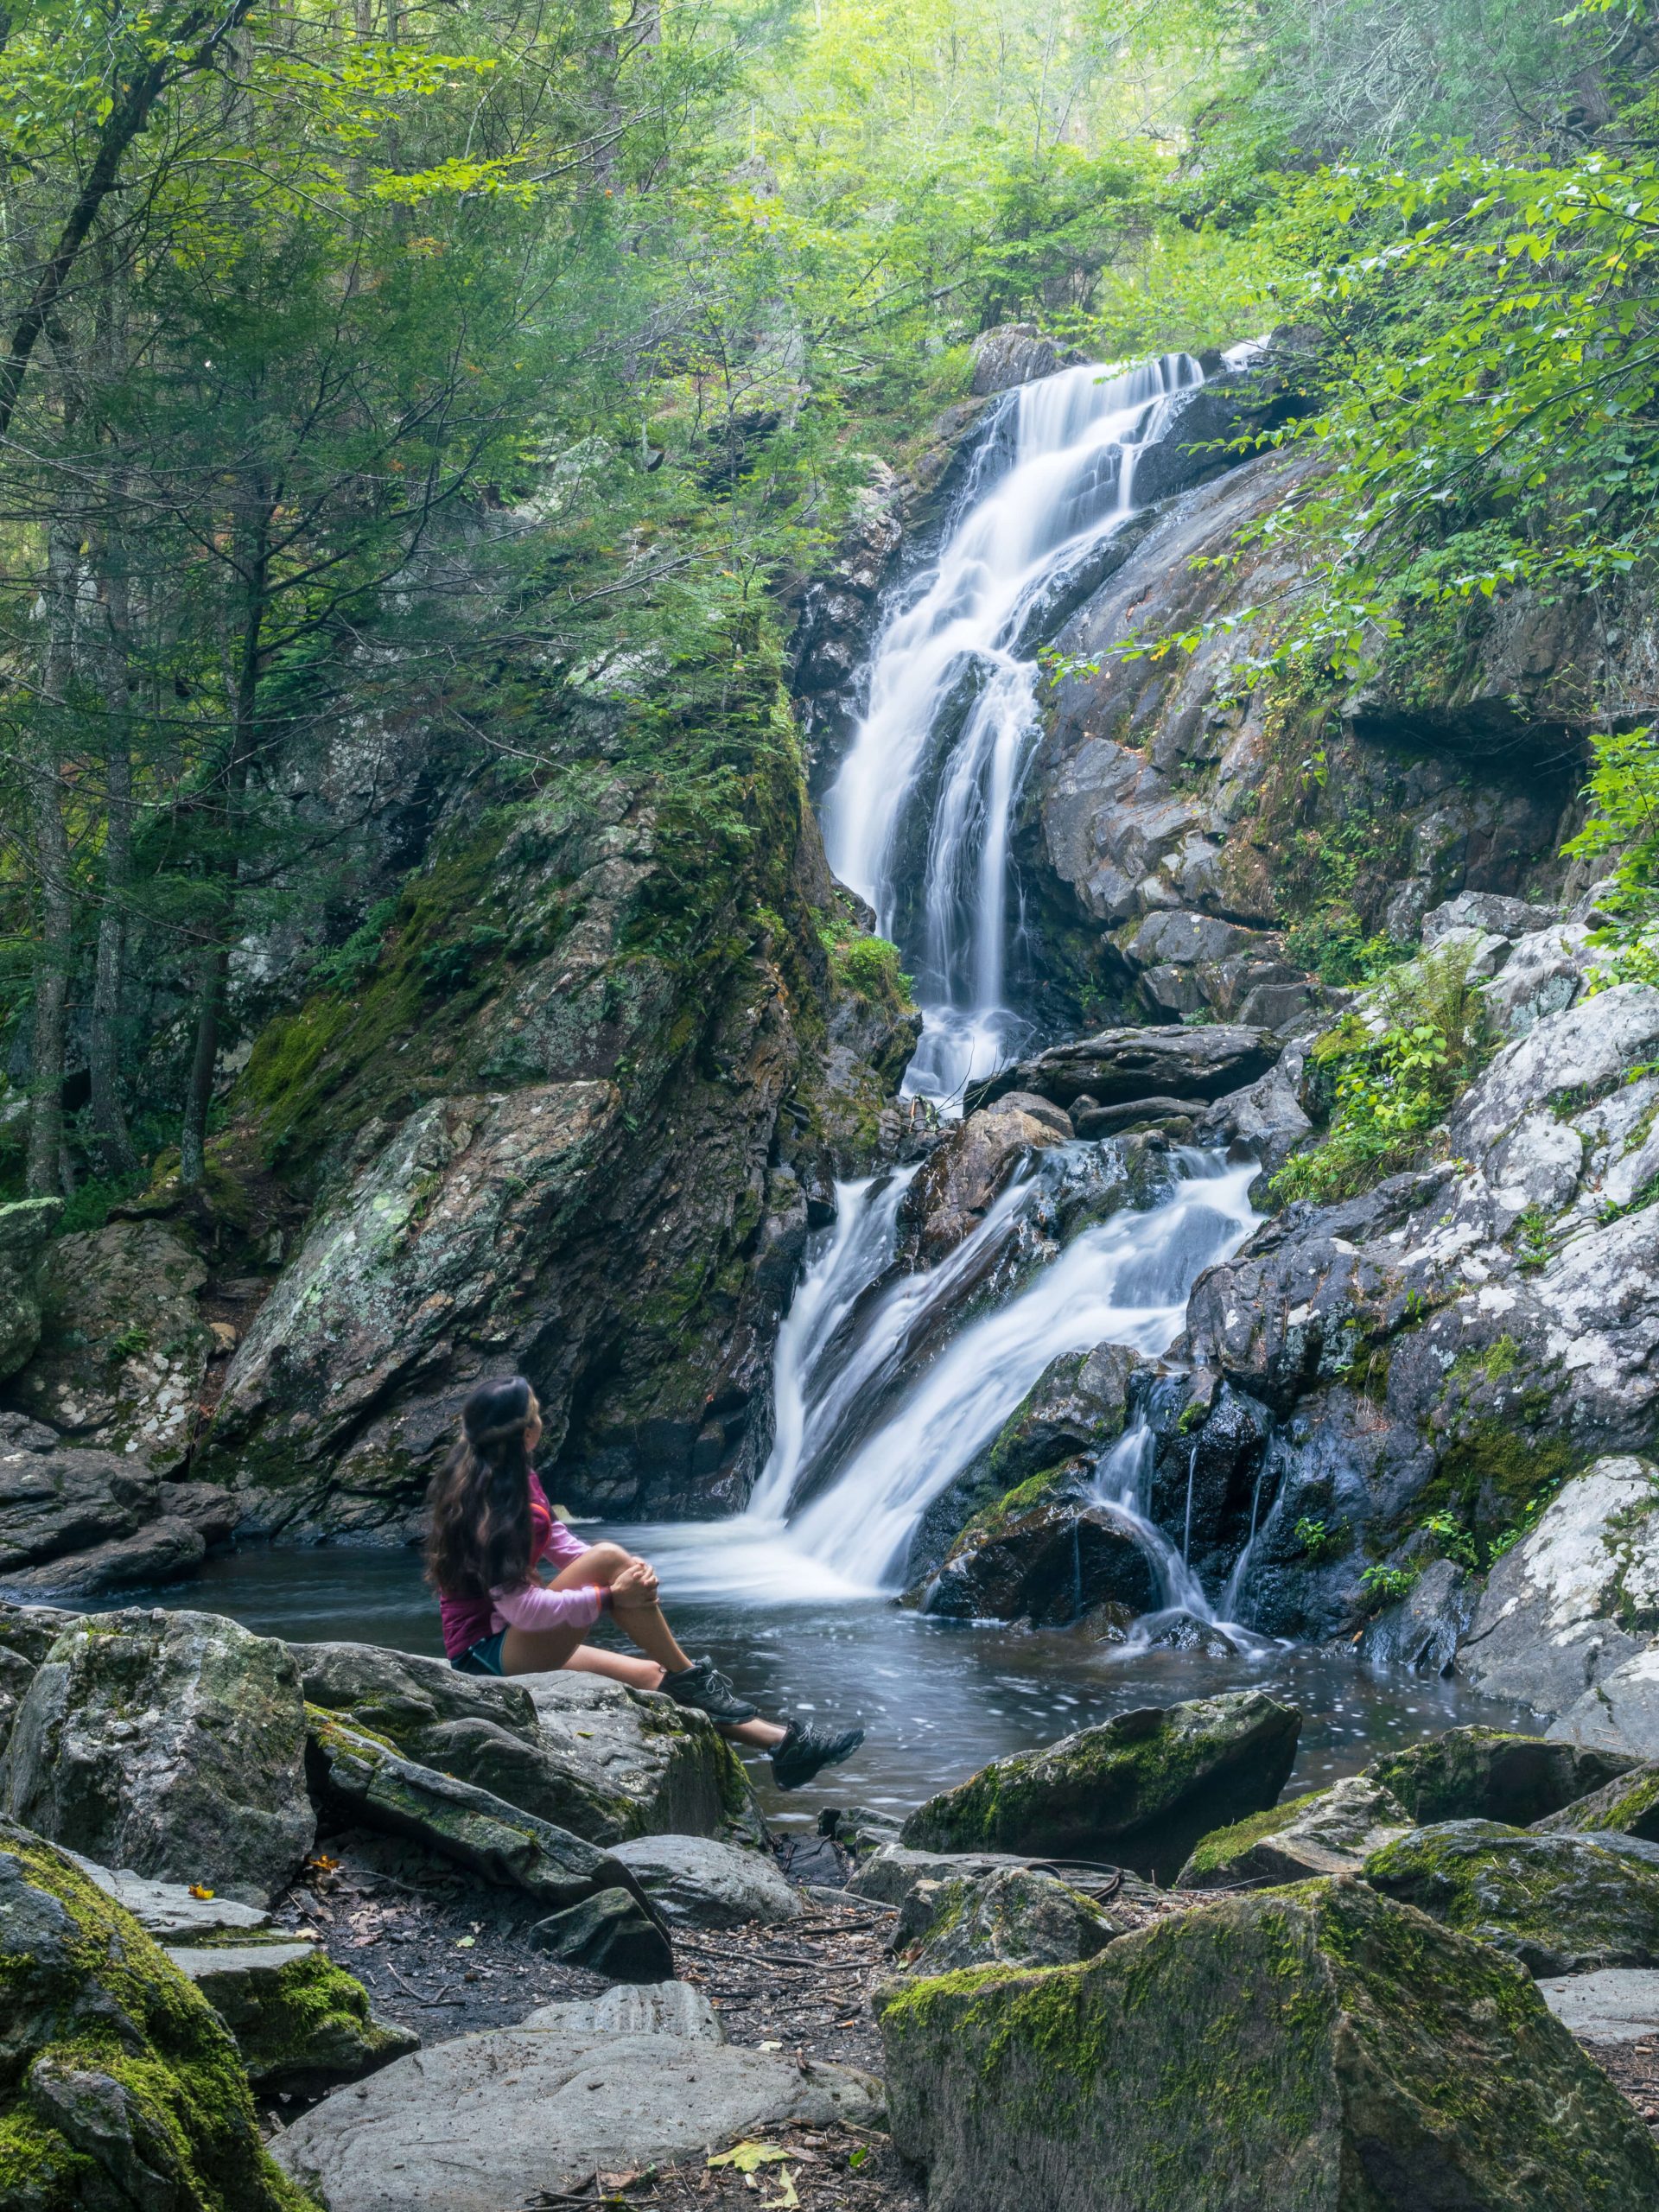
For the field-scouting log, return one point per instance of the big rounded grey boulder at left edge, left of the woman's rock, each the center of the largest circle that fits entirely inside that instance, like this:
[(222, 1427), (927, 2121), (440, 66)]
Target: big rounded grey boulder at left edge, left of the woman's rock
[(171, 1744)]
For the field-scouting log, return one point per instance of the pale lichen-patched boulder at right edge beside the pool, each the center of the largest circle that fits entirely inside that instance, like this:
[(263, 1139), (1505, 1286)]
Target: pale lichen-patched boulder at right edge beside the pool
[(1576, 1598)]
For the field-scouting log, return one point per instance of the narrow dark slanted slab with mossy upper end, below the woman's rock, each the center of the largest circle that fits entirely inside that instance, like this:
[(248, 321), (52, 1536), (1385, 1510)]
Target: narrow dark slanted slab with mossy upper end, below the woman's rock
[(364, 1782)]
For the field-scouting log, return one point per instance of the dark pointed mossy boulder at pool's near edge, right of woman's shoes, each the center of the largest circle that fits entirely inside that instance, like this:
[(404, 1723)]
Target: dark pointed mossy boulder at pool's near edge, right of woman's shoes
[(1140, 1788)]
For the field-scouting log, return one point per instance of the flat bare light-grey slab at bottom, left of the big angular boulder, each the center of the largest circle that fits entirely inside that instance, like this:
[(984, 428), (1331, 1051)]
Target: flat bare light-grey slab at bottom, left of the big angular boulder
[(490, 2122)]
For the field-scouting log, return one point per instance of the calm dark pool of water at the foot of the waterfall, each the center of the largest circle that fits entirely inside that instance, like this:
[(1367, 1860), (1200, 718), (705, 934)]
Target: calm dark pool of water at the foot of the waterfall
[(935, 1698)]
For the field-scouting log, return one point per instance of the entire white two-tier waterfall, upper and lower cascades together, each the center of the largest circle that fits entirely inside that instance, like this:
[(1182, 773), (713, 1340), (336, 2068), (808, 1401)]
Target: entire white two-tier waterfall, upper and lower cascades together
[(881, 1397)]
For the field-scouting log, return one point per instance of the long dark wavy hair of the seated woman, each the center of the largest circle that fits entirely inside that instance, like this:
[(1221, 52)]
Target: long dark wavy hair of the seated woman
[(479, 1512)]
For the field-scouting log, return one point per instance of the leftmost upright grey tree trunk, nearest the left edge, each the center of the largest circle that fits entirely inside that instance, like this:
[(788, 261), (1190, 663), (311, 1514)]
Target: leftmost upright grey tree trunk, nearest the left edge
[(43, 1169)]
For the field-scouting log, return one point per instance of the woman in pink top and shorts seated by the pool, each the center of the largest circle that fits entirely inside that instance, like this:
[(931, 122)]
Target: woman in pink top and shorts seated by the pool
[(519, 1592)]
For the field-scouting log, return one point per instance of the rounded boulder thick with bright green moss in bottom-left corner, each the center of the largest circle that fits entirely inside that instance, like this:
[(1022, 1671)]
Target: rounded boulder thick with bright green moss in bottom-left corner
[(121, 2087)]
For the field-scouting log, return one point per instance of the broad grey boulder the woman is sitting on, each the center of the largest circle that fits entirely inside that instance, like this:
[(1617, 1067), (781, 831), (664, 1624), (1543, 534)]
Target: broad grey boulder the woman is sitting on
[(583, 1753)]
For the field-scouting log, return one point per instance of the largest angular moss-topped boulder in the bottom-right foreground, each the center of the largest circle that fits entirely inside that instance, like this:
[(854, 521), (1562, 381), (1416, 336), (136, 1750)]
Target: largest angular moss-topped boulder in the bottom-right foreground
[(1315, 2049)]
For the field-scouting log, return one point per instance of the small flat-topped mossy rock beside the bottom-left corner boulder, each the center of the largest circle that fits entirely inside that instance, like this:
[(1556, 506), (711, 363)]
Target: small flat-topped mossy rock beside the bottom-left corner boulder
[(302, 2023)]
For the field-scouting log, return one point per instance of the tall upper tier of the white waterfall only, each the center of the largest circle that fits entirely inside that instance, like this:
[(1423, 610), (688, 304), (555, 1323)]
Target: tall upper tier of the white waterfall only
[(1054, 481)]
